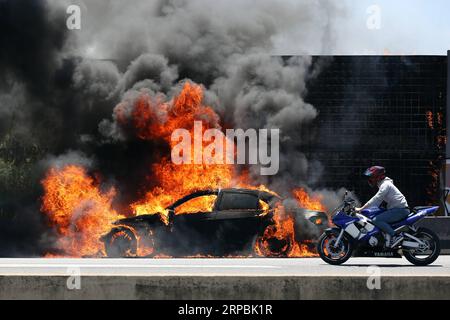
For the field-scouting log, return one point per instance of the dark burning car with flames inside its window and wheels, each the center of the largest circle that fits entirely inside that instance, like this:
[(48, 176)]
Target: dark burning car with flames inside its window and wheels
[(234, 222)]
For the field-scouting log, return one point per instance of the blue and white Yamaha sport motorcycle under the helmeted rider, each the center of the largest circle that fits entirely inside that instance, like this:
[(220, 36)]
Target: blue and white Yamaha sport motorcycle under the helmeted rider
[(354, 234)]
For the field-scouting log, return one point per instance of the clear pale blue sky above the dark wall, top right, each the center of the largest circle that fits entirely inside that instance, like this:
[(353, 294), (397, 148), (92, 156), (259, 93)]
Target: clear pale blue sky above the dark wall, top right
[(406, 27)]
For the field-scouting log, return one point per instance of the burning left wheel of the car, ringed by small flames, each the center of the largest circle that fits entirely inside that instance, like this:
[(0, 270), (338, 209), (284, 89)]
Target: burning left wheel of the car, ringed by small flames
[(121, 242)]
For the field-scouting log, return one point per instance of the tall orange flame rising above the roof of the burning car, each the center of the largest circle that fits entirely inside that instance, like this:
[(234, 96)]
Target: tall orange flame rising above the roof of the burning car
[(174, 180)]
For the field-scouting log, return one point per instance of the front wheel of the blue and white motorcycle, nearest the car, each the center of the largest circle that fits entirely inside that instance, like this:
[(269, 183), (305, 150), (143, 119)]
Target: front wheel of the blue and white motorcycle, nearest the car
[(333, 253)]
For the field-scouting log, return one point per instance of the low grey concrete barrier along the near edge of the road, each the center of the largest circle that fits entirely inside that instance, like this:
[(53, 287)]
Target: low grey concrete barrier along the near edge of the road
[(223, 287)]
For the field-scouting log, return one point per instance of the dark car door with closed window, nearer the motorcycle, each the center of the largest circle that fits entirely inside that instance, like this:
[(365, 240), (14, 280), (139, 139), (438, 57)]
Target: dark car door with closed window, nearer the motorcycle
[(238, 218)]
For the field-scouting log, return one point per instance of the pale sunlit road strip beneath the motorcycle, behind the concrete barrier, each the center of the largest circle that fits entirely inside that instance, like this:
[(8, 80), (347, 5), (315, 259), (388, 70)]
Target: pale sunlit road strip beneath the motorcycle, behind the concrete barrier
[(220, 267)]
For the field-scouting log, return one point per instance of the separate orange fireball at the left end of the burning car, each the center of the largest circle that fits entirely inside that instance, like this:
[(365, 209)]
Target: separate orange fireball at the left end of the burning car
[(79, 210)]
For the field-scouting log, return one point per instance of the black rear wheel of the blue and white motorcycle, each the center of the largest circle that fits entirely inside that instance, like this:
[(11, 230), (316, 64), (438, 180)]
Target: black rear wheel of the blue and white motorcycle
[(426, 254)]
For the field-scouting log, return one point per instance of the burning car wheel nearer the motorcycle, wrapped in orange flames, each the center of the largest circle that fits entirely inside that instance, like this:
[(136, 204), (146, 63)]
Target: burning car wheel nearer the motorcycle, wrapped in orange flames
[(270, 245)]
